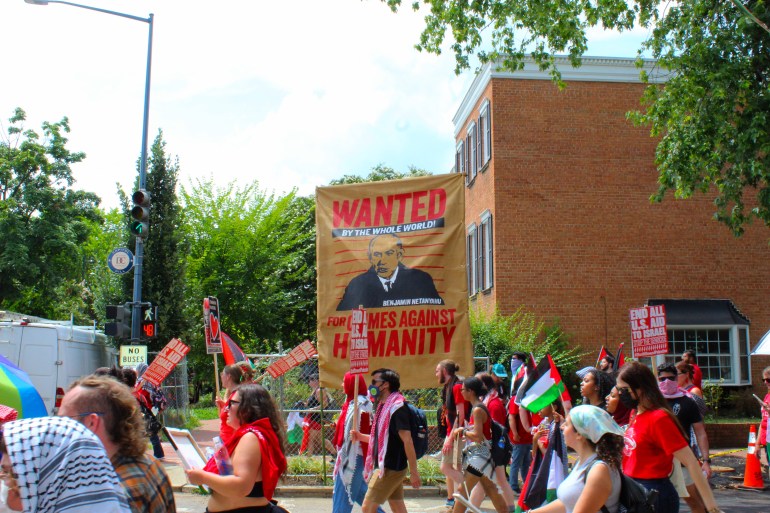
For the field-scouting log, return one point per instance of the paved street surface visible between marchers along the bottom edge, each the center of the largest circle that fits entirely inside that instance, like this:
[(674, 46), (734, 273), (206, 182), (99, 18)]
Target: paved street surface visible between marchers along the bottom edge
[(731, 501)]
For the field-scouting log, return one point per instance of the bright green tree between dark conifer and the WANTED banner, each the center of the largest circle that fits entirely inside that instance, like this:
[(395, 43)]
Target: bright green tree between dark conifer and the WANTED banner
[(255, 253)]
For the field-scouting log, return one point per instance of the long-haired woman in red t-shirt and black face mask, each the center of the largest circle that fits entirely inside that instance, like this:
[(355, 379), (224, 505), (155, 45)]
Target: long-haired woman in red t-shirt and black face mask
[(654, 438)]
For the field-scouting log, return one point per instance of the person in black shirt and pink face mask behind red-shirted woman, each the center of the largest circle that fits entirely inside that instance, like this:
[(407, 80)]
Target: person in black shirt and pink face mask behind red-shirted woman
[(689, 416)]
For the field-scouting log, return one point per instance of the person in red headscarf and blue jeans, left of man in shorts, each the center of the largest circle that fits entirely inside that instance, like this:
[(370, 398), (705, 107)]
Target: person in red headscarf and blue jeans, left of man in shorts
[(349, 484)]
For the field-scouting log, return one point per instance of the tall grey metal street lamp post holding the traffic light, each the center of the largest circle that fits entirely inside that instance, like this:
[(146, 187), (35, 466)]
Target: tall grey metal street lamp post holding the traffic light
[(139, 250)]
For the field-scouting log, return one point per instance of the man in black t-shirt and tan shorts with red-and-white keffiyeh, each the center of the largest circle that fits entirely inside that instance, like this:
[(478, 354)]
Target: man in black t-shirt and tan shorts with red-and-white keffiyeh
[(391, 448)]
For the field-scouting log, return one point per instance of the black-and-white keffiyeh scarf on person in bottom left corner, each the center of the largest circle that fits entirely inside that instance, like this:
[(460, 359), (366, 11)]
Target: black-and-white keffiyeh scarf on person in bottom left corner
[(61, 466)]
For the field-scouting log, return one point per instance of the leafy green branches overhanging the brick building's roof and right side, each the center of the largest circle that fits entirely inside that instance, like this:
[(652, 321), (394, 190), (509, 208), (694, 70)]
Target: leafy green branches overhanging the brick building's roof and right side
[(712, 115)]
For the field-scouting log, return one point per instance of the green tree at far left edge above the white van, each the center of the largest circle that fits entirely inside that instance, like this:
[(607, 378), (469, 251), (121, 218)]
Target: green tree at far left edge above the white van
[(43, 221)]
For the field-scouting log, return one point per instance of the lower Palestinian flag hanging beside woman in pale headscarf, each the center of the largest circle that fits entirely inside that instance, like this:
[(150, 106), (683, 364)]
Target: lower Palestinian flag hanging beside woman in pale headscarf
[(549, 475)]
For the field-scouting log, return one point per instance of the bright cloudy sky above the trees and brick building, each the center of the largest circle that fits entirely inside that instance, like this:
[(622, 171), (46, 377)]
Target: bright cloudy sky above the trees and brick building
[(290, 94)]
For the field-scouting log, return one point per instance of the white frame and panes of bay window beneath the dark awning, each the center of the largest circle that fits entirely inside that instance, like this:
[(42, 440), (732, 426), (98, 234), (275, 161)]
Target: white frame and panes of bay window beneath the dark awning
[(738, 377)]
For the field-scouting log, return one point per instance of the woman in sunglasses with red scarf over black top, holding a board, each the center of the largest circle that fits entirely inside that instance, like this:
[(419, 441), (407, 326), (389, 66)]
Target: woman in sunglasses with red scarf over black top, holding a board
[(257, 453)]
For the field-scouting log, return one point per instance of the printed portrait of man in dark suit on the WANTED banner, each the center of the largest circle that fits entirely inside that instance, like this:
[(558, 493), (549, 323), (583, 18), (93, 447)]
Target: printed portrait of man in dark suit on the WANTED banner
[(388, 282)]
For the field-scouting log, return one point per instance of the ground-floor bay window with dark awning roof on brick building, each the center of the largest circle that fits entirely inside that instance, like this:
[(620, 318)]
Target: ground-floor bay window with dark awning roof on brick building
[(715, 330)]
